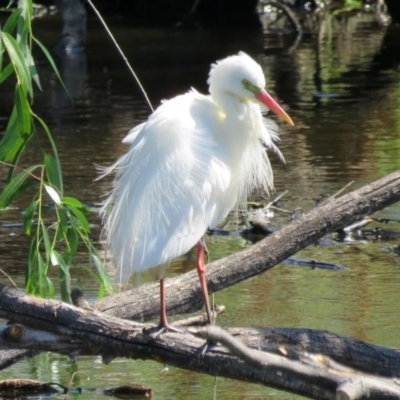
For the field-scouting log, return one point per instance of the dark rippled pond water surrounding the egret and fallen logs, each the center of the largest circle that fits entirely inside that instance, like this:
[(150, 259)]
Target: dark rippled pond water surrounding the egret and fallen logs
[(341, 86)]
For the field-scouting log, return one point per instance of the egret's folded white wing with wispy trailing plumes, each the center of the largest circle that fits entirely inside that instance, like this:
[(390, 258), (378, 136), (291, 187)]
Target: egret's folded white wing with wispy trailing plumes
[(163, 198)]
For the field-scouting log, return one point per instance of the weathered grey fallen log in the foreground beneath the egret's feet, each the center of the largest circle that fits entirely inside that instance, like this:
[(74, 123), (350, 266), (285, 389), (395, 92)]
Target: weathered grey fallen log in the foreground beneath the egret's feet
[(312, 363)]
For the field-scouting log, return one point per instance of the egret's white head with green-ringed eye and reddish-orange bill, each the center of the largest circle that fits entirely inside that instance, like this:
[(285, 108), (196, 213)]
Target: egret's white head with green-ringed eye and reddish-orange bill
[(241, 77)]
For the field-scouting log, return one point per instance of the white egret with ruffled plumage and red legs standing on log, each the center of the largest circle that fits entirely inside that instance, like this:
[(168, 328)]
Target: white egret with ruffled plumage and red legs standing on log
[(186, 168)]
